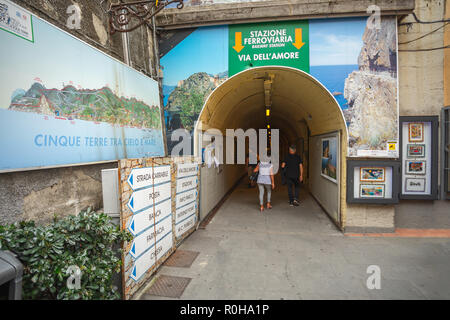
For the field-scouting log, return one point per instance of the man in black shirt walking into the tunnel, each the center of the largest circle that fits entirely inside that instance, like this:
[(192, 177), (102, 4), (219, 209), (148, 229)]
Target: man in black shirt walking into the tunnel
[(293, 170)]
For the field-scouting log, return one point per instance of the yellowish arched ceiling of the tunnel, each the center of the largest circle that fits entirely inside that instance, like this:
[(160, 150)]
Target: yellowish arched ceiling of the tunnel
[(296, 97)]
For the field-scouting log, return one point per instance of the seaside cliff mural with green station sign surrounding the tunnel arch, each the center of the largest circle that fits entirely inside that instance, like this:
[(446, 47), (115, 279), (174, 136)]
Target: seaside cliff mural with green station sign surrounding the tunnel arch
[(355, 61)]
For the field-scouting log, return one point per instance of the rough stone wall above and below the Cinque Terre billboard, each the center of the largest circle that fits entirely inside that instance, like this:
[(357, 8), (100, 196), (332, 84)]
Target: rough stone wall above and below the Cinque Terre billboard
[(39, 195)]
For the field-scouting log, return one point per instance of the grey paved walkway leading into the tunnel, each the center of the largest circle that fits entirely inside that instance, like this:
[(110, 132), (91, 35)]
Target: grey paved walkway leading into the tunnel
[(297, 253)]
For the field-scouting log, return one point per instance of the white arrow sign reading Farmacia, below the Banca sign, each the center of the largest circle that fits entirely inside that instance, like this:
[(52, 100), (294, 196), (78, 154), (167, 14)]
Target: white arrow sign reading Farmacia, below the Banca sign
[(147, 238)]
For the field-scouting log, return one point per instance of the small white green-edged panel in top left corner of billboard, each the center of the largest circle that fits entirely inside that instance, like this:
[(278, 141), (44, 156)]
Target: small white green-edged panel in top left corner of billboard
[(15, 20)]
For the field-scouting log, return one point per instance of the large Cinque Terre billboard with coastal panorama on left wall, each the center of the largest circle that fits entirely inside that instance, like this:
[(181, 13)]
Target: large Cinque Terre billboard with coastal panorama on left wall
[(64, 102)]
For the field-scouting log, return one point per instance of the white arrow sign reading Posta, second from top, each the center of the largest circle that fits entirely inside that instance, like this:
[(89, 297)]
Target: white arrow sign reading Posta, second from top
[(143, 199)]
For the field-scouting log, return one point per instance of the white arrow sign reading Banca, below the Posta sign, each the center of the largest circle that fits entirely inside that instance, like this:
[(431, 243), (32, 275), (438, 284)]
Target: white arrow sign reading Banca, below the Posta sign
[(144, 219)]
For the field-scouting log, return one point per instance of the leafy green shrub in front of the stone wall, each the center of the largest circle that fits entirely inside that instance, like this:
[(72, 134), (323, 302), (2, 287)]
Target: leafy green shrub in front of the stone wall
[(86, 240)]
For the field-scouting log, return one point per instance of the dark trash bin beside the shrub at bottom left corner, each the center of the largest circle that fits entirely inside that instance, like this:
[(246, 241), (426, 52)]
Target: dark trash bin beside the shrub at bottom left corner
[(11, 270)]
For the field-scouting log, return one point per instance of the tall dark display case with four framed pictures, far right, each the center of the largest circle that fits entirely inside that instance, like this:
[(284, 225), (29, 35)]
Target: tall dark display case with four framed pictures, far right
[(418, 156)]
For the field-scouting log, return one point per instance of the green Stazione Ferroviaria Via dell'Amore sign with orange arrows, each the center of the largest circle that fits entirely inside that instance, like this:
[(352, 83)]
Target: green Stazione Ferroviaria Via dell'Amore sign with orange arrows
[(266, 44)]
